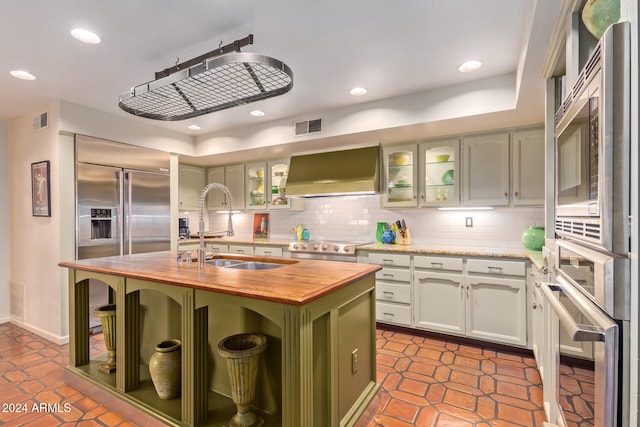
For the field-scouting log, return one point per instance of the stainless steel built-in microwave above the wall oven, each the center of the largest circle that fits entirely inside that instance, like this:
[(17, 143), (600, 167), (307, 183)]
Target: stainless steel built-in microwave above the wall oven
[(592, 148)]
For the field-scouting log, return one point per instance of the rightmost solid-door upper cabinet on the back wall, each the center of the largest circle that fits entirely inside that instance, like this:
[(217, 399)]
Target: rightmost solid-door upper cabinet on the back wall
[(527, 167)]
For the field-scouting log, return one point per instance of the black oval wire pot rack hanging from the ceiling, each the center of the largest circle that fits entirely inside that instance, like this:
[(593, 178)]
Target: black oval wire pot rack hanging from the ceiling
[(217, 80)]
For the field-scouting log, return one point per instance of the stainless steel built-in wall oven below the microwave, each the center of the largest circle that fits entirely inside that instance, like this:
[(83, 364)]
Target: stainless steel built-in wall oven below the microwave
[(589, 296)]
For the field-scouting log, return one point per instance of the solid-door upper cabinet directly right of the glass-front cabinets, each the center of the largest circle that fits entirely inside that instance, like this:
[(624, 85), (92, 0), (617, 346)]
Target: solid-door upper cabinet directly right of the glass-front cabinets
[(486, 170)]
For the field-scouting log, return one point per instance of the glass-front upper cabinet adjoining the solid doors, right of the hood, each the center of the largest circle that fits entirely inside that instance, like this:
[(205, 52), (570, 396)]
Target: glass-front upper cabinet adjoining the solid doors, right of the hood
[(439, 173)]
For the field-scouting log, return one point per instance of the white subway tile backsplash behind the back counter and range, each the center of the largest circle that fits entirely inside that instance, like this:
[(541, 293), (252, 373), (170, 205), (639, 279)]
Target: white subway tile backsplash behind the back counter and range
[(355, 219)]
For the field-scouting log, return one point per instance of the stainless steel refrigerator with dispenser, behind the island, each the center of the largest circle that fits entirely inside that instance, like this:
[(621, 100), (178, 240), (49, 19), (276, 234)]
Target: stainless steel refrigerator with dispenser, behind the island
[(122, 204)]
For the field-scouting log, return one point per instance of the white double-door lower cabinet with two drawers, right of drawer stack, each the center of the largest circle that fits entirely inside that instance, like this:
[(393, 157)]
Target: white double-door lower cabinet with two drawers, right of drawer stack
[(460, 298)]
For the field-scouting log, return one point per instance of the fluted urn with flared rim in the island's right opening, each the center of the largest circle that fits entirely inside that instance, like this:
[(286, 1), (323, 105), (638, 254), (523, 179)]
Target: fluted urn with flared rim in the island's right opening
[(242, 354)]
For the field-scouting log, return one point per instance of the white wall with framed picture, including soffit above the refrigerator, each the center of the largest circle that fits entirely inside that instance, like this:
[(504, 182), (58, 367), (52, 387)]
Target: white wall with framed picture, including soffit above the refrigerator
[(36, 286)]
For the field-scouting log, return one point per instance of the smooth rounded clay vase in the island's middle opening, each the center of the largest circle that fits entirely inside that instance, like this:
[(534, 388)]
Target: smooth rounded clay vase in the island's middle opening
[(165, 369)]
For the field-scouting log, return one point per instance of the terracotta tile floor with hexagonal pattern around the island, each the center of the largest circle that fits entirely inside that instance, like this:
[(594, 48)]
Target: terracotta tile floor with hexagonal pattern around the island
[(424, 382)]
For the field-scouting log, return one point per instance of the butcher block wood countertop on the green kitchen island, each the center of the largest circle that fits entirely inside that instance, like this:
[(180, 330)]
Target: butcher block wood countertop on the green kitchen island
[(297, 282)]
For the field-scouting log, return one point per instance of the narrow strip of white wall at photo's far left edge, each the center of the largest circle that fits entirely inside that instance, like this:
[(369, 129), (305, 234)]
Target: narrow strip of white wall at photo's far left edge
[(5, 229)]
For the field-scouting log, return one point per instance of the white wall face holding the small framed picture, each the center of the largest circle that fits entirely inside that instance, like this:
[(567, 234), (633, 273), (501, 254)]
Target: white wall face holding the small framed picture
[(35, 286)]
